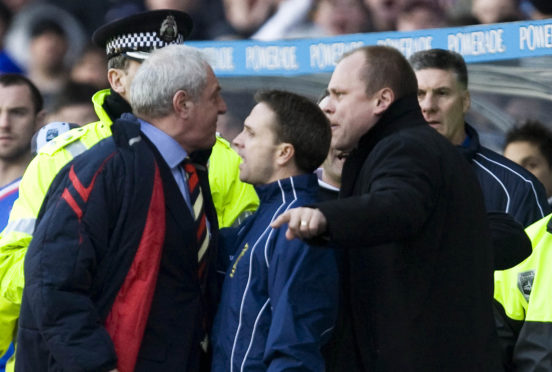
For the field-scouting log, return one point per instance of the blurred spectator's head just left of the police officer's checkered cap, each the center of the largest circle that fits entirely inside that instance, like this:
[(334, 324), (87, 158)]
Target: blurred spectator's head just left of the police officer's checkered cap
[(91, 67)]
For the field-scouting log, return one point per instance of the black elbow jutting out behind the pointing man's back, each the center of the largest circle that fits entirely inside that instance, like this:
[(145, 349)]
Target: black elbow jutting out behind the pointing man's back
[(511, 244)]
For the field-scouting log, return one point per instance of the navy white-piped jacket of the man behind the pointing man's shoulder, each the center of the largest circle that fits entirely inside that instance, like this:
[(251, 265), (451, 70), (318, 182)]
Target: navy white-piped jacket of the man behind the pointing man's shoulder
[(507, 187)]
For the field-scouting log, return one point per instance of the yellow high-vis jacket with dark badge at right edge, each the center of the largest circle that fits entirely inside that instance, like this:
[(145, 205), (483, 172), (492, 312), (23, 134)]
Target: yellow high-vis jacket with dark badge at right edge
[(525, 293)]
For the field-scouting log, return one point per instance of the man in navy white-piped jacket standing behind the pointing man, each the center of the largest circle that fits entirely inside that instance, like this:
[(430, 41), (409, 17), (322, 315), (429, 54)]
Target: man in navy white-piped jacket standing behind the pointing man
[(444, 99)]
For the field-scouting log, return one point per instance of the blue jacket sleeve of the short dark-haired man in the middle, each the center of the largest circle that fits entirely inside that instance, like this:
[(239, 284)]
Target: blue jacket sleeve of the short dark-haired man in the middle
[(303, 290)]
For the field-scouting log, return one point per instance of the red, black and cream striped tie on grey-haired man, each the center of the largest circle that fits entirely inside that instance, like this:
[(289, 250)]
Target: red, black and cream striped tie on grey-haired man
[(200, 219)]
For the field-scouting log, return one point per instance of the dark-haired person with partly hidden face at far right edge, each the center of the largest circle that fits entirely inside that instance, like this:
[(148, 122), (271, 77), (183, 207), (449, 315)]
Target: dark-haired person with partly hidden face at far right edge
[(531, 147)]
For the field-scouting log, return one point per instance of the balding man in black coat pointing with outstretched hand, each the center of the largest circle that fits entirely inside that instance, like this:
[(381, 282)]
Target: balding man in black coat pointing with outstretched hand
[(417, 265)]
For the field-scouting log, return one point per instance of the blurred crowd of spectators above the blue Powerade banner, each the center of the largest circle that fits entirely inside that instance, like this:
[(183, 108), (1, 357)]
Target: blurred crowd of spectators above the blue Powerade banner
[(48, 40)]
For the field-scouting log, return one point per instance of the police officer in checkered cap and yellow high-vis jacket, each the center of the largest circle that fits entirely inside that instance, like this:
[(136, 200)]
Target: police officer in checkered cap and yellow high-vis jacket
[(128, 42)]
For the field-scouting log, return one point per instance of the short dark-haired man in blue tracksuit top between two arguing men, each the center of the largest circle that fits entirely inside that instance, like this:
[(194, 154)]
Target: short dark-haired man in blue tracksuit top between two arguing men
[(280, 297)]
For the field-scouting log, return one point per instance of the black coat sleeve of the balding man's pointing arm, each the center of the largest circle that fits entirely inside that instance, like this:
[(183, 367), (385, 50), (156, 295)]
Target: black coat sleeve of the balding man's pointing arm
[(395, 201)]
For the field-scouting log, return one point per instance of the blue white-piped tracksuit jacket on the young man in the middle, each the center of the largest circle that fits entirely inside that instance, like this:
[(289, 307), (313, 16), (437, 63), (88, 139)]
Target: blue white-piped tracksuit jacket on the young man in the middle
[(280, 297)]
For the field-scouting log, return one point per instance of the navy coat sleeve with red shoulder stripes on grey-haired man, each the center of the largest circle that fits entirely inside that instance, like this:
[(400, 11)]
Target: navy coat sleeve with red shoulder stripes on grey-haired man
[(59, 274)]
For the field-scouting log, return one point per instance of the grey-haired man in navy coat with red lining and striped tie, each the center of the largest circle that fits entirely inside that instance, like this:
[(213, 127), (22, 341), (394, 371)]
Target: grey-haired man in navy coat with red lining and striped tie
[(120, 272)]
